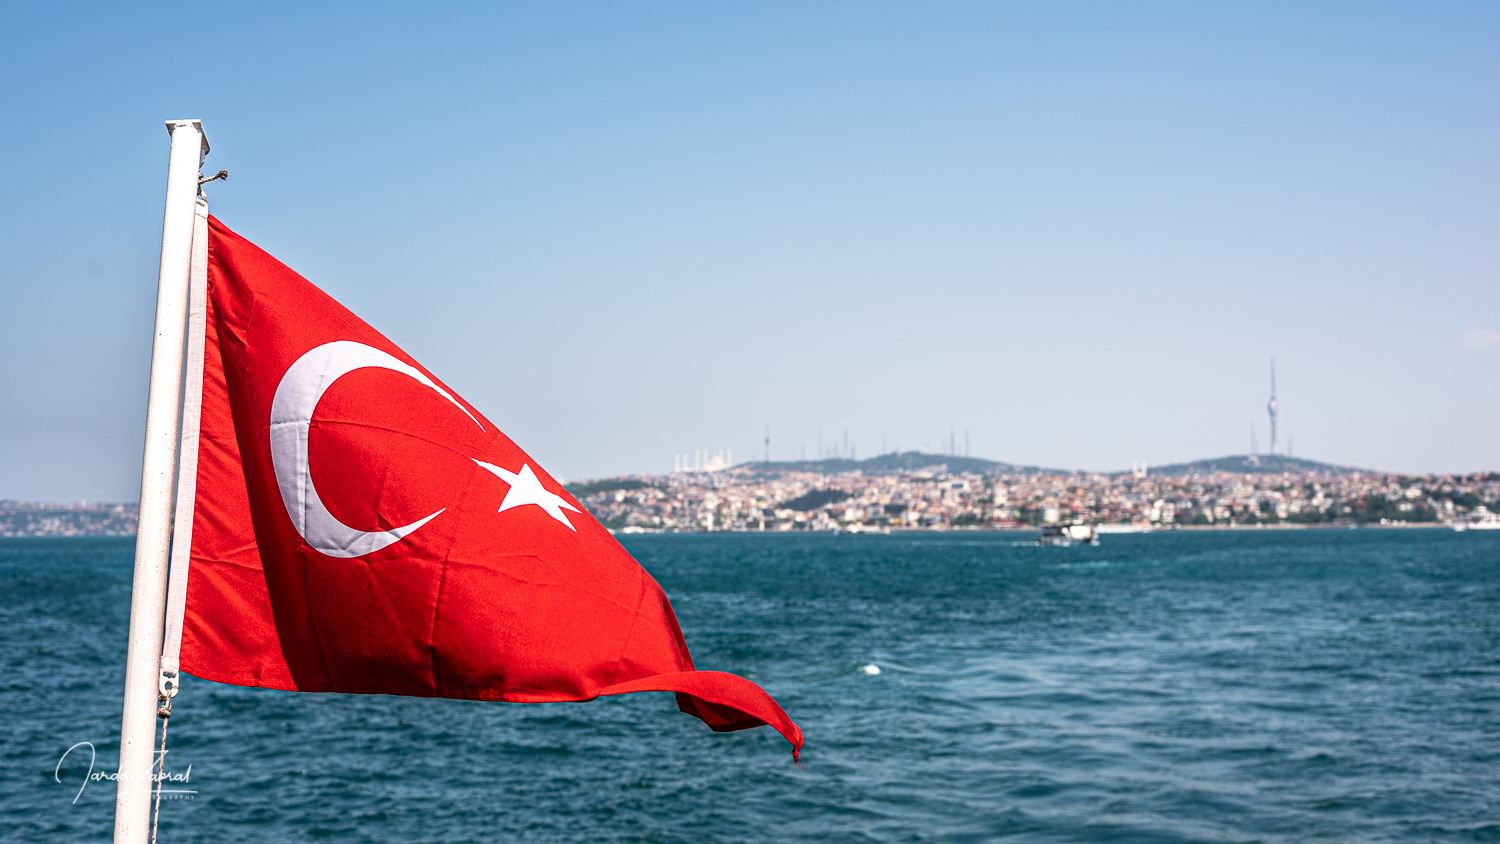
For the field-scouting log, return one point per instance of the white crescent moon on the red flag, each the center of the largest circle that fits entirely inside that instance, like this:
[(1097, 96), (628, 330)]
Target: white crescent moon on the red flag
[(292, 415)]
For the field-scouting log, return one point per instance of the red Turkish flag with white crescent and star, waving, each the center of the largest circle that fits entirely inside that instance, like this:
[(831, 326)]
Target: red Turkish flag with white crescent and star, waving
[(359, 528)]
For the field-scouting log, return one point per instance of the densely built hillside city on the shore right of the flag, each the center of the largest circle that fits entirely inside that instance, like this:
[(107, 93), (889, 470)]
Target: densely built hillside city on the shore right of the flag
[(932, 492)]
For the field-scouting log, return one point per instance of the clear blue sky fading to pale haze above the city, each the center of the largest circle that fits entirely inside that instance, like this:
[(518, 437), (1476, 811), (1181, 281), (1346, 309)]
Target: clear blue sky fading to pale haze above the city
[(1076, 232)]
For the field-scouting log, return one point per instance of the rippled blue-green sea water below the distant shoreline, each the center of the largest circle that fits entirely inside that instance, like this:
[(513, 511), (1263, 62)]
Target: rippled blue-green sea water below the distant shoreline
[(1252, 686)]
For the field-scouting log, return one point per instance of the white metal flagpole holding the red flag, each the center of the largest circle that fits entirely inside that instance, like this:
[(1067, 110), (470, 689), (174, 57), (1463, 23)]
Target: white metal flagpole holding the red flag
[(133, 804)]
